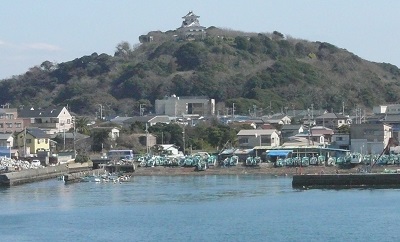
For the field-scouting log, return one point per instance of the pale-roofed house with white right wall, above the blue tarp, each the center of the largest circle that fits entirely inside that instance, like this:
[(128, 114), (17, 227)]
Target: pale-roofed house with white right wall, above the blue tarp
[(249, 138)]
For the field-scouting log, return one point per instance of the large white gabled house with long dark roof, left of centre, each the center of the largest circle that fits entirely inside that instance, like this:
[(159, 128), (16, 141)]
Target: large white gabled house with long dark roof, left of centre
[(50, 120)]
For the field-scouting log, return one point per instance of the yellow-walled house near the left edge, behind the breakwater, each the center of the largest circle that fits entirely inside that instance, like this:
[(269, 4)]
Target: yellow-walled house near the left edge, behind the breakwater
[(31, 140)]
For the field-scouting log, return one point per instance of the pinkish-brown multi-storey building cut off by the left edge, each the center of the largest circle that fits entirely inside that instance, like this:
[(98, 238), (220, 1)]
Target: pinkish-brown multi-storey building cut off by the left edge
[(9, 121)]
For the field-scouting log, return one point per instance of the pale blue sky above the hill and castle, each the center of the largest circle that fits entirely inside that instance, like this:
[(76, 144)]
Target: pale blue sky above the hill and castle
[(32, 32)]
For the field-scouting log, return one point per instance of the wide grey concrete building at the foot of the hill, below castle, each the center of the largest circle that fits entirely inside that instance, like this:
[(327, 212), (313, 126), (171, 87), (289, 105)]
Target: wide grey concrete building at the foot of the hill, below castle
[(174, 106)]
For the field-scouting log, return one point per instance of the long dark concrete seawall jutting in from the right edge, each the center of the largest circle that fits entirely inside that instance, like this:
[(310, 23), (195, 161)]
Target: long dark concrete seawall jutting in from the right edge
[(346, 180)]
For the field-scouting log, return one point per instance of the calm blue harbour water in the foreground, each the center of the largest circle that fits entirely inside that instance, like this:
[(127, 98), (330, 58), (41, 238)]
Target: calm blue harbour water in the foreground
[(196, 208)]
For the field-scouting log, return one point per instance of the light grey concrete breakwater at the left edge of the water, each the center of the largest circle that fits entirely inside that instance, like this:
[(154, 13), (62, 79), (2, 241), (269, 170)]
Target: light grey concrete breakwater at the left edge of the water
[(32, 175)]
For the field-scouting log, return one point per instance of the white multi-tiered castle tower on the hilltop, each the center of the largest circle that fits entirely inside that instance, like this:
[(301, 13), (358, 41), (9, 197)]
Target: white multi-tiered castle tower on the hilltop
[(191, 28)]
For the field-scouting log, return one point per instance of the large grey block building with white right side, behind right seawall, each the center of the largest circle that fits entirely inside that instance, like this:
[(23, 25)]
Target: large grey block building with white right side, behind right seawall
[(369, 138)]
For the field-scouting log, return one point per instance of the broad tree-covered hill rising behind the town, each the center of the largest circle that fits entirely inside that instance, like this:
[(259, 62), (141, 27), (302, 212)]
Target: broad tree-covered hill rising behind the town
[(266, 70)]
